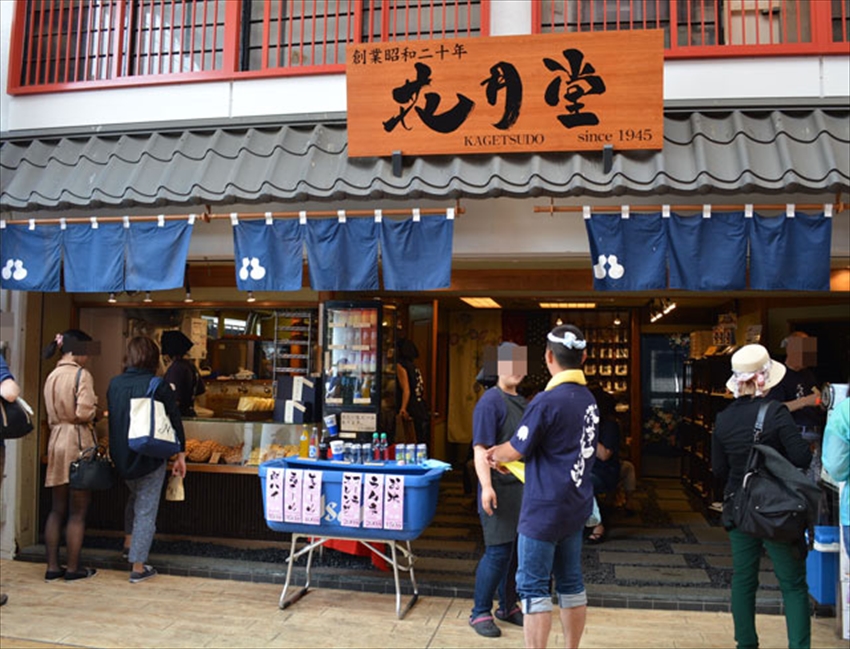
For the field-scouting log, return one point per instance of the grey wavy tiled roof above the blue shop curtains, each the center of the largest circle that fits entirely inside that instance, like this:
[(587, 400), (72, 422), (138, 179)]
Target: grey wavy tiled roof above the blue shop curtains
[(721, 152)]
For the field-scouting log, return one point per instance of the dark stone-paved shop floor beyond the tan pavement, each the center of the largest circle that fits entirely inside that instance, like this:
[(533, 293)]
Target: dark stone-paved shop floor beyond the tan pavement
[(667, 555)]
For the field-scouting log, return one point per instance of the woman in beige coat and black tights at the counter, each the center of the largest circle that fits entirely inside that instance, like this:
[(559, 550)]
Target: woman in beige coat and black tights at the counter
[(71, 406)]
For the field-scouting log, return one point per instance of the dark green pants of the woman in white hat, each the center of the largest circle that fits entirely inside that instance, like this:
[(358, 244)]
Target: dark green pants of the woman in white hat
[(789, 565)]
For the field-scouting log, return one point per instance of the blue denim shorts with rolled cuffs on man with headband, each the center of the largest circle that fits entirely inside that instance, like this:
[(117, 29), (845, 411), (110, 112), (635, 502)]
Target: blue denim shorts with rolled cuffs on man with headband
[(538, 560)]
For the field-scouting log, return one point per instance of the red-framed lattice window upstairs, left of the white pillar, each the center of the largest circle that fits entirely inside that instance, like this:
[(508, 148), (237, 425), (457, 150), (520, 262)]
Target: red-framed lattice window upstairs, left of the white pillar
[(81, 42)]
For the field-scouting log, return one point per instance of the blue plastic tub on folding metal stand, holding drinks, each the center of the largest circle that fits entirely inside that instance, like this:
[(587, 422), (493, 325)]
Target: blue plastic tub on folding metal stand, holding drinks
[(421, 488)]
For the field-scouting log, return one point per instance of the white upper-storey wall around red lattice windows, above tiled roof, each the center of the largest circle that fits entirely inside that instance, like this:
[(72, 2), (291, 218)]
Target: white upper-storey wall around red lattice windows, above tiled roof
[(703, 81)]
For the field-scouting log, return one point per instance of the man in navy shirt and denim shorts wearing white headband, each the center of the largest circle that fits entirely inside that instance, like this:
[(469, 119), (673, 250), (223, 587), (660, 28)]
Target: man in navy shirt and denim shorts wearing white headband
[(557, 437)]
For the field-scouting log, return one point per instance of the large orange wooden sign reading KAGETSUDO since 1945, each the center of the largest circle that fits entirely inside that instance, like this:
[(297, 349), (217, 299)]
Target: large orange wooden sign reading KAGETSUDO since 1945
[(509, 94)]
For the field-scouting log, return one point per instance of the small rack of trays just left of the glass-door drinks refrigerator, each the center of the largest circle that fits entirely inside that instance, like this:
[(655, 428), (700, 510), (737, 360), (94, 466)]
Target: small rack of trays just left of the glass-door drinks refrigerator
[(295, 334)]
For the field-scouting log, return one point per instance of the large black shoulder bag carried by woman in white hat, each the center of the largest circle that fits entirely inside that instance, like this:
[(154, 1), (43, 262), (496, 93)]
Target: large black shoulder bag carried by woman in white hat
[(776, 501)]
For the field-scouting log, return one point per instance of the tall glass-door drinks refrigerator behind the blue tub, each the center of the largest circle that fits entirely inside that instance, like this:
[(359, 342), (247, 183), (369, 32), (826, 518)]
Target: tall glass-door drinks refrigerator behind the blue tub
[(358, 341)]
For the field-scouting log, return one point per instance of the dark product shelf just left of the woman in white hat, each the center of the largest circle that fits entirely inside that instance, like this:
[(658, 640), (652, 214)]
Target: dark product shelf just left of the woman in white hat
[(704, 396)]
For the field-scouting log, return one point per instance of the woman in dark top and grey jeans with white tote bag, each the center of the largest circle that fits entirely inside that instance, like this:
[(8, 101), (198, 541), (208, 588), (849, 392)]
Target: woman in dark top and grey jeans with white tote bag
[(143, 475)]
